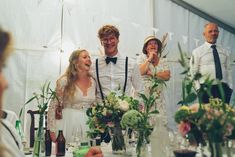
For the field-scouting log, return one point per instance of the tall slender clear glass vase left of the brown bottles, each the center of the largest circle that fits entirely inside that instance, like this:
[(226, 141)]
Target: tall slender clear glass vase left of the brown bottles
[(39, 144)]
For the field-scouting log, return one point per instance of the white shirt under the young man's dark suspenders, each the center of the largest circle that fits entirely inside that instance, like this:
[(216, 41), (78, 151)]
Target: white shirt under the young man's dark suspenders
[(112, 76)]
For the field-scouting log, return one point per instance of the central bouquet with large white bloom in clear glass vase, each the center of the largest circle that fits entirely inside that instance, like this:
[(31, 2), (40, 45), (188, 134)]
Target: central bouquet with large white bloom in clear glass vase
[(105, 117)]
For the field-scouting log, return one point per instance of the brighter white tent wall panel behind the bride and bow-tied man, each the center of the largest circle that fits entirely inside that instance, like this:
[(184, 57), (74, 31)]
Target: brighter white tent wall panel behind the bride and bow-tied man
[(45, 32)]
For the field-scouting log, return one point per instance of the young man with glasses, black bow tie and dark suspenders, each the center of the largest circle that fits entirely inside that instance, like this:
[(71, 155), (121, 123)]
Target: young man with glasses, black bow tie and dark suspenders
[(114, 71)]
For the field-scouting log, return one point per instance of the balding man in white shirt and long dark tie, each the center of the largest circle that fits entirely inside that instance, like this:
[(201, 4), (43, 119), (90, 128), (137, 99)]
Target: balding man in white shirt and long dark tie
[(212, 61)]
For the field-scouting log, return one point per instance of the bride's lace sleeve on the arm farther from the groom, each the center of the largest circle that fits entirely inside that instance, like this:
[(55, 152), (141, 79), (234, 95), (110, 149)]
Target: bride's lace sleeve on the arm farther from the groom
[(51, 116)]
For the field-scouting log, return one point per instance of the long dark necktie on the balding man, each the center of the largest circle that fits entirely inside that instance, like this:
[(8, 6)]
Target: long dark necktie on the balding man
[(218, 70)]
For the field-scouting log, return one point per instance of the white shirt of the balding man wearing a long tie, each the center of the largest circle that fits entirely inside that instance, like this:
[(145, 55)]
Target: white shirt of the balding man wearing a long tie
[(202, 61)]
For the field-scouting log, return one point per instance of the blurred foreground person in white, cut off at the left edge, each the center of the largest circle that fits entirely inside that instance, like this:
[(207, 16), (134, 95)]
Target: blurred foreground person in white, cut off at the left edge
[(10, 141)]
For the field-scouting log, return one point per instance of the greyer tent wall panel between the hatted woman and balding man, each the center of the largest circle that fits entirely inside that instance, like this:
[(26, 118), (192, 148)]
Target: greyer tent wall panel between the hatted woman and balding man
[(185, 28)]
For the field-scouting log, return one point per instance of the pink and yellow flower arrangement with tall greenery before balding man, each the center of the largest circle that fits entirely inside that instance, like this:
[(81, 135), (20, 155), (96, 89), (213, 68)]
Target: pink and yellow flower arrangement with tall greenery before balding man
[(212, 123)]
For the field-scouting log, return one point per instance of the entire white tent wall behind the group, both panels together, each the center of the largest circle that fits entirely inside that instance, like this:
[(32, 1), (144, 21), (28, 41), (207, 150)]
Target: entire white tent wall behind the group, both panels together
[(45, 32)]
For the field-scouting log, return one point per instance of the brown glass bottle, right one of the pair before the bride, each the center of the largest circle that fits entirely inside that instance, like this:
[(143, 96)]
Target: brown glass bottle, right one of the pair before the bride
[(60, 144)]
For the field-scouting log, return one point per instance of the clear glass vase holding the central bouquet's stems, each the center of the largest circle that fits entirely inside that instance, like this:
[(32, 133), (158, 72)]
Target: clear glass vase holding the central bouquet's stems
[(118, 142)]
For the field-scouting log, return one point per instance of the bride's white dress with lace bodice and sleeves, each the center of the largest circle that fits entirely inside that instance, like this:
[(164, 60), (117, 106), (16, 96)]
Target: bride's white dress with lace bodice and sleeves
[(74, 116)]
